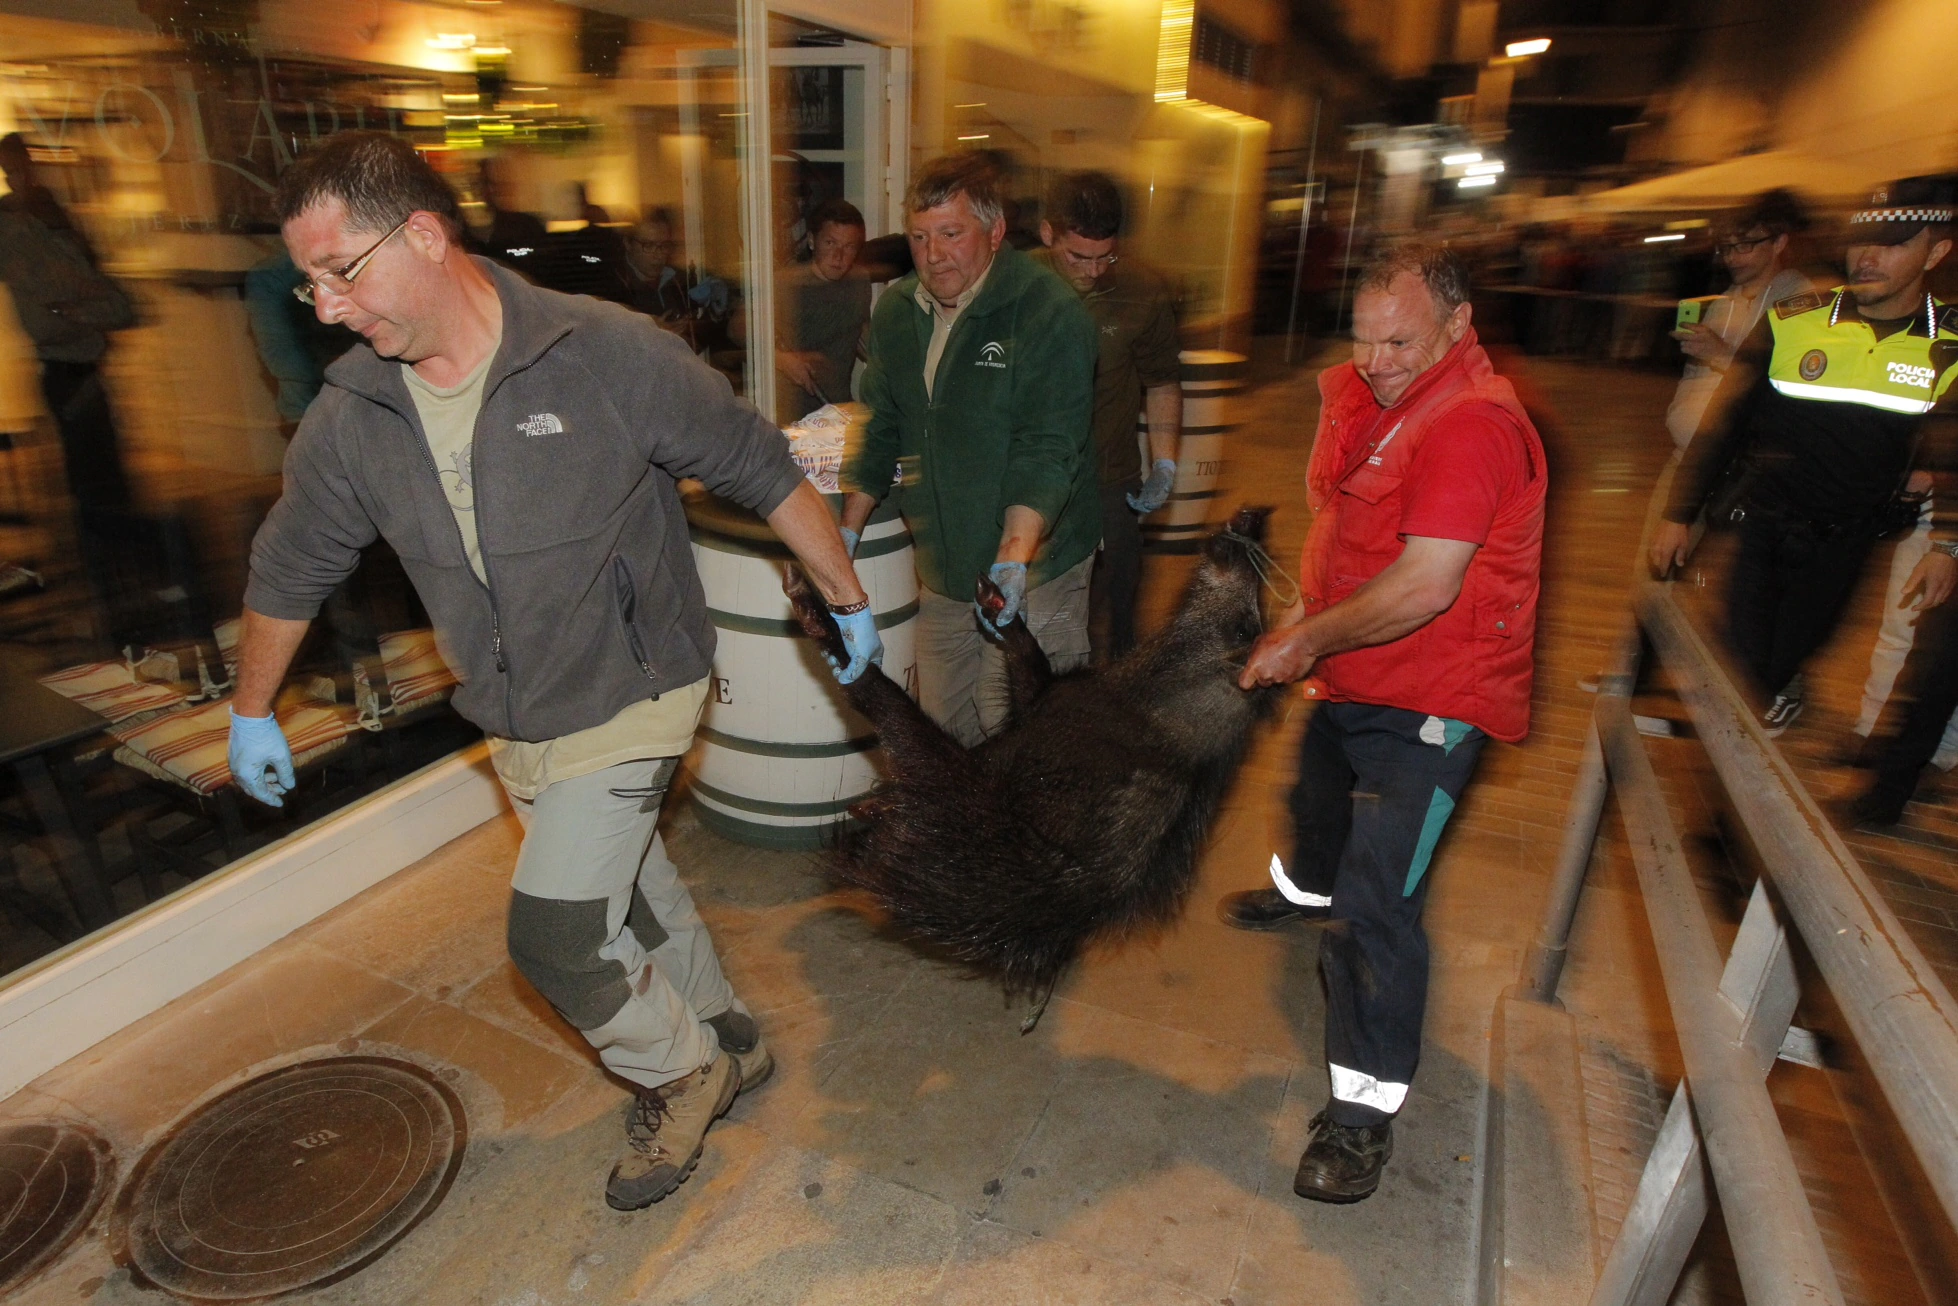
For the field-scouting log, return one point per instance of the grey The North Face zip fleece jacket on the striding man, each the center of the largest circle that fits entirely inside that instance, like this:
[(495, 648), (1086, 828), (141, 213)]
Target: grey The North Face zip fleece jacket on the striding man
[(590, 416)]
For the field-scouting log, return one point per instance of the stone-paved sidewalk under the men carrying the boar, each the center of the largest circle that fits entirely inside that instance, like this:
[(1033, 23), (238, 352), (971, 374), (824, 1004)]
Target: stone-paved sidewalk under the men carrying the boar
[(913, 1146)]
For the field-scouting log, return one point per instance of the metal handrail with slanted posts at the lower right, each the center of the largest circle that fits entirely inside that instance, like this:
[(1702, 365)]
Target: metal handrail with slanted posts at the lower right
[(1730, 1019)]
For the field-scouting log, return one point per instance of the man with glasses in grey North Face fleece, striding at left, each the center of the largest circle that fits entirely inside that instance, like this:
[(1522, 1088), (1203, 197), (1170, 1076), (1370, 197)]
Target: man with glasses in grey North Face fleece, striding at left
[(520, 451)]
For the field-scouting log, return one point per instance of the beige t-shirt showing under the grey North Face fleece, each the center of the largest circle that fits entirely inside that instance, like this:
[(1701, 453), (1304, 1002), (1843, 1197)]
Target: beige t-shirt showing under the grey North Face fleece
[(647, 729)]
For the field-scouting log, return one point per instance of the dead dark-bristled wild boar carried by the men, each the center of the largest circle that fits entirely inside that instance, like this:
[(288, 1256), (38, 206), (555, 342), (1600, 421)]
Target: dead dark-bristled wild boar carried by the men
[(1088, 812)]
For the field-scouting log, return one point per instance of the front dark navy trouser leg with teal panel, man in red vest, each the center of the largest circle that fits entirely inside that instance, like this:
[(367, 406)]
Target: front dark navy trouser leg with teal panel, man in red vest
[(1375, 951)]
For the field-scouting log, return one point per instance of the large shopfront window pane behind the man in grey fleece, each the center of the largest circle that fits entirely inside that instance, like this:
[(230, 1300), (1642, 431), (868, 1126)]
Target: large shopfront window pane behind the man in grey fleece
[(156, 365)]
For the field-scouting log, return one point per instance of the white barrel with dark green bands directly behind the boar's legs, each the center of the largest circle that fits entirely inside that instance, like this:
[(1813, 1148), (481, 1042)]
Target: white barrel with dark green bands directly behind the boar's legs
[(780, 759)]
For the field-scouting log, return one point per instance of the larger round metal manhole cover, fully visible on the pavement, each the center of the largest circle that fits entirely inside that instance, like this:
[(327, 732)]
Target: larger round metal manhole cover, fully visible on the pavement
[(293, 1180)]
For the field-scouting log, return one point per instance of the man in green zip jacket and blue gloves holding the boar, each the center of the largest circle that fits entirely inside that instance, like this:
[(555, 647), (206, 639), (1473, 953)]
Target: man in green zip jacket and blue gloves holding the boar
[(982, 391)]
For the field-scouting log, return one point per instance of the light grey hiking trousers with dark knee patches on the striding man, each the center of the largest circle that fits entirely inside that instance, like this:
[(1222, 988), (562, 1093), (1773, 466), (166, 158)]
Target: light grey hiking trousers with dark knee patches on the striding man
[(606, 931)]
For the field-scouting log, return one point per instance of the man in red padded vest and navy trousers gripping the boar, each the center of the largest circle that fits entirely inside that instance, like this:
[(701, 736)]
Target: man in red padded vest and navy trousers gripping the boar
[(1417, 639)]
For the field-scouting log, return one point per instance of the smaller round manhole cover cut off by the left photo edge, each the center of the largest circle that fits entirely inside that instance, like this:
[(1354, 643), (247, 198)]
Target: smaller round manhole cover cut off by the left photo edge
[(52, 1182)]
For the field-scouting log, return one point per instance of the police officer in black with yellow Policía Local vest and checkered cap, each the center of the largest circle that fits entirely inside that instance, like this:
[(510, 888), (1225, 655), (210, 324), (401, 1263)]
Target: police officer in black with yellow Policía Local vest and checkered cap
[(1828, 408)]
